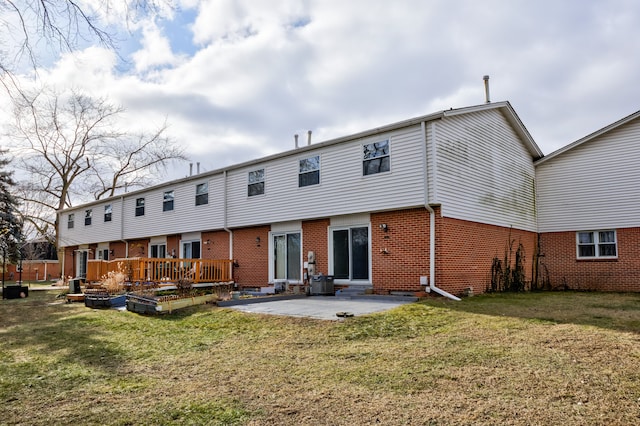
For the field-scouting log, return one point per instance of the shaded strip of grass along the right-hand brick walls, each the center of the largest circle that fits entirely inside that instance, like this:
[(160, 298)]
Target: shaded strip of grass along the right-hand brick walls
[(614, 311)]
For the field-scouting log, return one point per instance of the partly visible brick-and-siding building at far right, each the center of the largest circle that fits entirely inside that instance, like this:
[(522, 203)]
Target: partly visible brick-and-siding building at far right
[(588, 210)]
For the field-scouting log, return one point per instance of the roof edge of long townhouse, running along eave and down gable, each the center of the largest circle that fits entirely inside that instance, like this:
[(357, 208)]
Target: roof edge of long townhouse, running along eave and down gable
[(511, 116)]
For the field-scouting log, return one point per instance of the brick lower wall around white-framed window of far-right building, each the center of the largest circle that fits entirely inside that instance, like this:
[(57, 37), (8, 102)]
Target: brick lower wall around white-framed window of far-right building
[(561, 266)]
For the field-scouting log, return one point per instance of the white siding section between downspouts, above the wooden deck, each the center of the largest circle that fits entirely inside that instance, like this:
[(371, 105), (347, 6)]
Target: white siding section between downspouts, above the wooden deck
[(185, 217)]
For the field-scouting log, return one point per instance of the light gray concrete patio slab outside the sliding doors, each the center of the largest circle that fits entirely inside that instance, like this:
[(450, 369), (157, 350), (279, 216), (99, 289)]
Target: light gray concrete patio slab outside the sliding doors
[(324, 307)]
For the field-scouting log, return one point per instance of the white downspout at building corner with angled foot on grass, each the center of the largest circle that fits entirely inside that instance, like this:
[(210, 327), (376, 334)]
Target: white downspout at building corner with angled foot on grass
[(432, 213)]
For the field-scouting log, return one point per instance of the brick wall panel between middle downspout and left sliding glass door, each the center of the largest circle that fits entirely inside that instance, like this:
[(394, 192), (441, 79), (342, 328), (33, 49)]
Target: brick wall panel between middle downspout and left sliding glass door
[(252, 258)]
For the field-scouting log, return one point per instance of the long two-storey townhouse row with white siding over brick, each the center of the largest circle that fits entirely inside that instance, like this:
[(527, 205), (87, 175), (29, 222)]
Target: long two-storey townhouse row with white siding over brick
[(429, 201)]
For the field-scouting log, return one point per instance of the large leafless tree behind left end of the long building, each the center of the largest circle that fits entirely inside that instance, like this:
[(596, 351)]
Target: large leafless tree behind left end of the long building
[(73, 151)]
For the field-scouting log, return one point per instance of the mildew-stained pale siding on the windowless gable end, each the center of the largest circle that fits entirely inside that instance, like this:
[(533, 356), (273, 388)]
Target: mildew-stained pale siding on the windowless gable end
[(484, 171)]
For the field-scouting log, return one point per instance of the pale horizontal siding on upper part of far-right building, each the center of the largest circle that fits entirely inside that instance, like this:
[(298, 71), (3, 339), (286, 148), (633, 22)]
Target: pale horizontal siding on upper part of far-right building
[(594, 185)]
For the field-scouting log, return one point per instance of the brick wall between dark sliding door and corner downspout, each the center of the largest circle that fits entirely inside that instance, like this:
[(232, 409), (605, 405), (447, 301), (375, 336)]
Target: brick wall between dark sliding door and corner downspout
[(399, 255)]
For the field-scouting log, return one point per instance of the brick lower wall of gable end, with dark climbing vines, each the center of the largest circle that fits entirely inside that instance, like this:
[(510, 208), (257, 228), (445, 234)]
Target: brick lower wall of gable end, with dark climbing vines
[(465, 252)]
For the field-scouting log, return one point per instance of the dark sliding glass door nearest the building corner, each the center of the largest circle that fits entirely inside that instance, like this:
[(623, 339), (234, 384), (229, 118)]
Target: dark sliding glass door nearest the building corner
[(351, 253)]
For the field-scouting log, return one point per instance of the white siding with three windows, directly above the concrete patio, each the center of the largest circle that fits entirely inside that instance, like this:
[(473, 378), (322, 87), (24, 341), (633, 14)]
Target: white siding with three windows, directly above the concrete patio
[(342, 190)]
